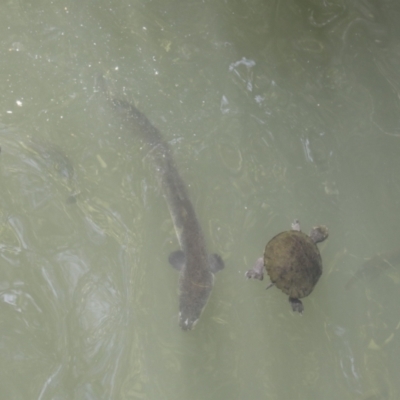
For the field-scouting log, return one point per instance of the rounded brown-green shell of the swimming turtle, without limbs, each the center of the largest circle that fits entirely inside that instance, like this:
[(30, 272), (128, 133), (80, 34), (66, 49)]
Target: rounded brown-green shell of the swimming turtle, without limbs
[(293, 263)]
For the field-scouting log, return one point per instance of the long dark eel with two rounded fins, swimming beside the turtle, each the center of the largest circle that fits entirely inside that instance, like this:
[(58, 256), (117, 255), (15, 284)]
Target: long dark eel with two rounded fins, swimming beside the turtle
[(196, 267)]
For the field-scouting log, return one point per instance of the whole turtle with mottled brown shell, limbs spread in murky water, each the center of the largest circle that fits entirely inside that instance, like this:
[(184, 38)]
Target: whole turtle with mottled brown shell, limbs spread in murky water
[(293, 262)]
